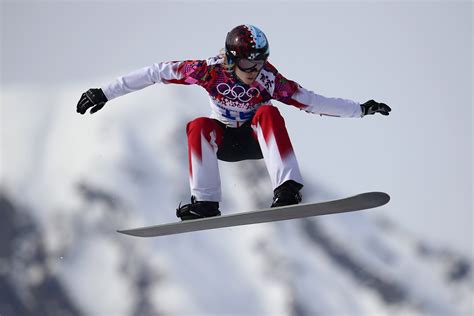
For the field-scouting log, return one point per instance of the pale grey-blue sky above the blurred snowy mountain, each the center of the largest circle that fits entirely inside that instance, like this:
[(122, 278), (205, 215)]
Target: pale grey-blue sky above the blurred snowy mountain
[(414, 56)]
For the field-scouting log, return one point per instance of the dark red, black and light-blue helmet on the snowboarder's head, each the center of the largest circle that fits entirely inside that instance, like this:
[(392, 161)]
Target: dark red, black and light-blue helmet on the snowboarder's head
[(246, 41)]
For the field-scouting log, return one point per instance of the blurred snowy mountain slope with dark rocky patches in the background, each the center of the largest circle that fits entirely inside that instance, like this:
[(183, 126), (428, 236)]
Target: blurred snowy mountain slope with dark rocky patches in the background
[(69, 182)]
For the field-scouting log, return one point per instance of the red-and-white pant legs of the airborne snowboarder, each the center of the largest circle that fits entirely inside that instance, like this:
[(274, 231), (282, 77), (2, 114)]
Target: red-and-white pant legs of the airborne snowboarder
[(205, 135)]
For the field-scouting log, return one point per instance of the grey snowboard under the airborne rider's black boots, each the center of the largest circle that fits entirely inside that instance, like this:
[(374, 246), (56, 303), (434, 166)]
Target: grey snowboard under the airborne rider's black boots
[(355, 203)]
